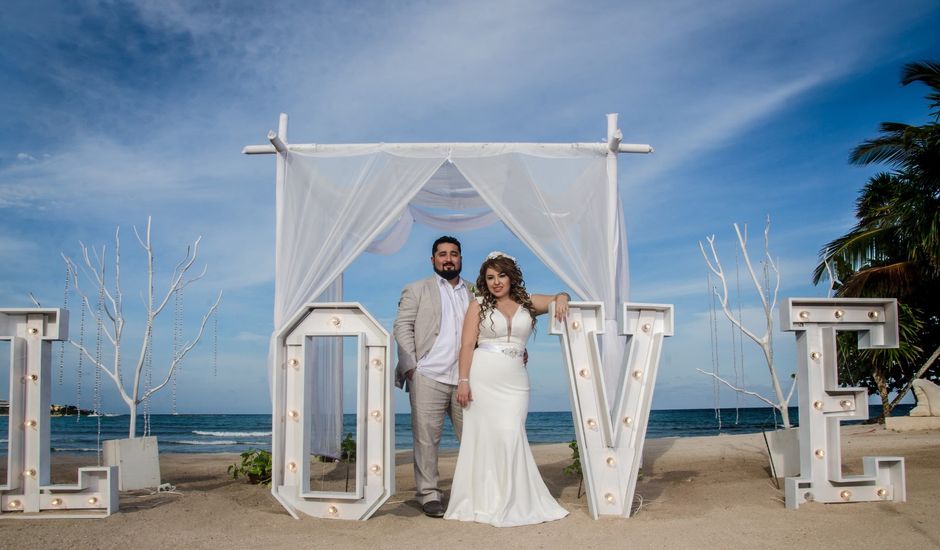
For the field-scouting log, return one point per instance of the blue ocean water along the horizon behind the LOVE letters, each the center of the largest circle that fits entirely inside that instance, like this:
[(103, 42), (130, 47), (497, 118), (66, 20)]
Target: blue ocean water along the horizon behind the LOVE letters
[(222, 433)]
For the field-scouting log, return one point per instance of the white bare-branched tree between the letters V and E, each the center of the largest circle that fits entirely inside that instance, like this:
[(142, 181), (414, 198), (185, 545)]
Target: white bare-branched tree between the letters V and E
[(768, 298)]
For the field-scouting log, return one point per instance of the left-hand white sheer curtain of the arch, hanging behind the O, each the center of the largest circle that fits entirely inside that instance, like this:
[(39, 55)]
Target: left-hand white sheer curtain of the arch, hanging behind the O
[(330, 210)]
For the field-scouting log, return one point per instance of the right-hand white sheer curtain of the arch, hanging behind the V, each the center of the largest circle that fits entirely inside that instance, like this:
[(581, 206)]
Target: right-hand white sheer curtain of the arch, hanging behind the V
[(559, 207)]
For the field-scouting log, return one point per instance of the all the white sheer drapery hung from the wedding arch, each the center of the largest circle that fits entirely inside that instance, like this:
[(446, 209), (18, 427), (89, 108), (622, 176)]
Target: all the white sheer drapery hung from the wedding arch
[(335, 205)]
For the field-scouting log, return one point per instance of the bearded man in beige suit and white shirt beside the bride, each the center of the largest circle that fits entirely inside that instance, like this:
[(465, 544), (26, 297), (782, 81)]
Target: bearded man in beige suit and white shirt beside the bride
[(427, 329)]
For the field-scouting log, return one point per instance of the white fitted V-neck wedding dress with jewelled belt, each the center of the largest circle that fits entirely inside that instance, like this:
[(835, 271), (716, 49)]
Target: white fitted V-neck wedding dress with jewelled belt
[(496, 480)]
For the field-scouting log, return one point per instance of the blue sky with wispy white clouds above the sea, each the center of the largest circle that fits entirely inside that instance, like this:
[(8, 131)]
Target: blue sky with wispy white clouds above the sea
[(113, 111)]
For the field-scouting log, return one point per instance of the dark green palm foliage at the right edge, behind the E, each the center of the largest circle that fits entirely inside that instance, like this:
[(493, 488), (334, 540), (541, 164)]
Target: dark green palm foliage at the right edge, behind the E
[(894, 248)]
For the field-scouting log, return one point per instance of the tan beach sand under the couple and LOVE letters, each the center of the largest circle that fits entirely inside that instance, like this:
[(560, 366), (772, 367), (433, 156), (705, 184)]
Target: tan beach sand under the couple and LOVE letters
[(708, 492)]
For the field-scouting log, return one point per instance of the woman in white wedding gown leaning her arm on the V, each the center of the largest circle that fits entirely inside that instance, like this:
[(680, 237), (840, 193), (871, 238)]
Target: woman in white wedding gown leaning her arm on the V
[(496, 480)]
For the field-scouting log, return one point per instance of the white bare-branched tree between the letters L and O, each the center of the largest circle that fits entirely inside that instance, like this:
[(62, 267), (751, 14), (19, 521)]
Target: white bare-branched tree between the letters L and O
[(108, 313)]
